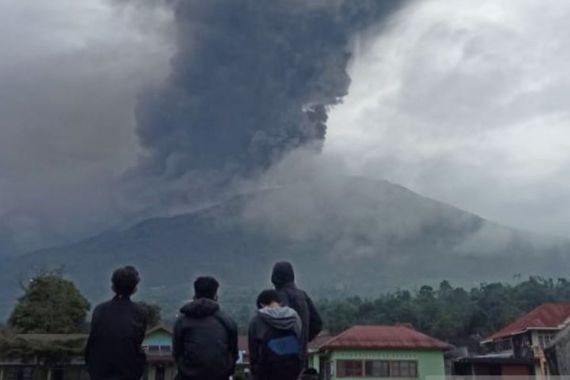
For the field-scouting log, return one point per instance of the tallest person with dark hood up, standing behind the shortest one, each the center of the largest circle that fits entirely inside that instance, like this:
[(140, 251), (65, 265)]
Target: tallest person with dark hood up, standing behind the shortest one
[(283, 278)]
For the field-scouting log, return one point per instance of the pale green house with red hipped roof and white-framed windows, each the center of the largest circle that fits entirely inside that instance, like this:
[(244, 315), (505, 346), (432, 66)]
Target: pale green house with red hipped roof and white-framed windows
[(379, 352)]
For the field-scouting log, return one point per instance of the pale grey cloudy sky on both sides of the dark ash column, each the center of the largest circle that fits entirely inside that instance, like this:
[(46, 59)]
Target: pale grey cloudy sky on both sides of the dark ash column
[(467, 102)]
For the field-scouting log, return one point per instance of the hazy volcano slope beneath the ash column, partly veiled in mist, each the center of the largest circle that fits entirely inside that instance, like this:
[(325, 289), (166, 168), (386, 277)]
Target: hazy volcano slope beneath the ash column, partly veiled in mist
[(349, 236)]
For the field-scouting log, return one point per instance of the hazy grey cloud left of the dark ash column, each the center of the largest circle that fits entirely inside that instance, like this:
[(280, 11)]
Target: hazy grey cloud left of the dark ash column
[(69, 77)]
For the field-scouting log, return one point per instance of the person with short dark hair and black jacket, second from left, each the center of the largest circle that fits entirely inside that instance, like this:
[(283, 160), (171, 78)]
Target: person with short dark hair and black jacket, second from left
[(205, 344)]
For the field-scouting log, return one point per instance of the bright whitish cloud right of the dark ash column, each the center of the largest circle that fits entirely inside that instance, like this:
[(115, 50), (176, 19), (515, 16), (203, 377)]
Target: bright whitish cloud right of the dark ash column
[(467, 103)]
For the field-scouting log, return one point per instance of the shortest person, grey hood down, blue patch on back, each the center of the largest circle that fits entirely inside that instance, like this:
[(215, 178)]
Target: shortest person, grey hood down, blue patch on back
[(275, 340)]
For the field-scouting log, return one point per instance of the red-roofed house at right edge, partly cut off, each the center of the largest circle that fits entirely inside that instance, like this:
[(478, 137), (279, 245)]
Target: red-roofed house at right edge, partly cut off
[(518, 348)]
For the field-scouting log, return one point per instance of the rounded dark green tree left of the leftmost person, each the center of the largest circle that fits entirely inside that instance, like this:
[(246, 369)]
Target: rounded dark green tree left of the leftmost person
[(50, 304)]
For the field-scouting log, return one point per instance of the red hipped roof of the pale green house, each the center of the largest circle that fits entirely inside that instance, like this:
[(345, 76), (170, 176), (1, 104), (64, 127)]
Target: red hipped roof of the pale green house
[(384, 337)]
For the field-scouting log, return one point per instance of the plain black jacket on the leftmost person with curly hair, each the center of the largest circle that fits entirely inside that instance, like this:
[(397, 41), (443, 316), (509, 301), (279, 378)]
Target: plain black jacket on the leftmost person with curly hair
[(114, 349)]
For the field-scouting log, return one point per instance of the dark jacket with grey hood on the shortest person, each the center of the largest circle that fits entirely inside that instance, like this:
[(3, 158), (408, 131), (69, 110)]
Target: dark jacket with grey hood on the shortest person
[(270, 323)]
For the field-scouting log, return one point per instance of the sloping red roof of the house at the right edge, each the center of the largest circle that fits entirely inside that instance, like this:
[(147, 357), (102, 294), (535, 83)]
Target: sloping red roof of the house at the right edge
[(547, 316)]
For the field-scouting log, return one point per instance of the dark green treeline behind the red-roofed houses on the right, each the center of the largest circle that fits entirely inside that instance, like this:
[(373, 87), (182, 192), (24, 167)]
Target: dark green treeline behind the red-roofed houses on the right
[(454, 314)]
